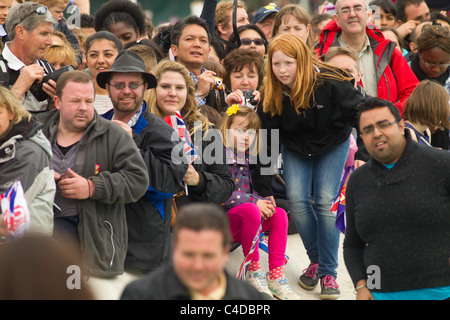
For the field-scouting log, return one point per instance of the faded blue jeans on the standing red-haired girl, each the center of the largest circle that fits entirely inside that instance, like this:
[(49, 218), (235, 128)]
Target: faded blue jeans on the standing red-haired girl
[(316, 179)]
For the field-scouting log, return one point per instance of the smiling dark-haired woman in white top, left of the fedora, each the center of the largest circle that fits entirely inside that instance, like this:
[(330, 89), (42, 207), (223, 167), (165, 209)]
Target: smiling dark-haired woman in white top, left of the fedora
[(102, 49)]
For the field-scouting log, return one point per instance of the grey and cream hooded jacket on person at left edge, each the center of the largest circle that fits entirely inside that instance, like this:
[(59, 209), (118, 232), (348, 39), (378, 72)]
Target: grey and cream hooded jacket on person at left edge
[(25, 155)]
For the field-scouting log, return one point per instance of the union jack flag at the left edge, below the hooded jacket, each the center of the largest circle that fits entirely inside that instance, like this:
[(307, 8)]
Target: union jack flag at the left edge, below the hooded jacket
[(15, 210)]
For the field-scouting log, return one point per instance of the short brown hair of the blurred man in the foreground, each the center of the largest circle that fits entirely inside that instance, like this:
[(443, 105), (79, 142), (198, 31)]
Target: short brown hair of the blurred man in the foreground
[(203, 216)]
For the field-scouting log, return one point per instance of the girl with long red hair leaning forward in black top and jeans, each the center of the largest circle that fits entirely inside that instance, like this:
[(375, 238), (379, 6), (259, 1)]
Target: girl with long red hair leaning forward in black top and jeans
[(313, 105)]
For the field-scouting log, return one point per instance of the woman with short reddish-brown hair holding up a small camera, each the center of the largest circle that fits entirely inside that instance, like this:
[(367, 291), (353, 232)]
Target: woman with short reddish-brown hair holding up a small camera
[(244, 74)]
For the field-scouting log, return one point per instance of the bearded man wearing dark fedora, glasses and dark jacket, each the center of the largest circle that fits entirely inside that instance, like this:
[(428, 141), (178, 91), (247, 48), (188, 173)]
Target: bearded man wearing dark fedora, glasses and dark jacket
[(149, 218)]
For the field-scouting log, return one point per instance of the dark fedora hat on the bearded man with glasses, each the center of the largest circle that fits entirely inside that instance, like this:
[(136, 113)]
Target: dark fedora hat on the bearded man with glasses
[(127, 61)]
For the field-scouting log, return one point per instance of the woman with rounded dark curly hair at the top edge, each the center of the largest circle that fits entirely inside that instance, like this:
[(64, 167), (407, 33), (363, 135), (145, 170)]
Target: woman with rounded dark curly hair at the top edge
[(123, 18)]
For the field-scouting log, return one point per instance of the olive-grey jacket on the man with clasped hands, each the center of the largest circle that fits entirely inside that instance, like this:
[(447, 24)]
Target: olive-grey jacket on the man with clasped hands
[(109, 157)]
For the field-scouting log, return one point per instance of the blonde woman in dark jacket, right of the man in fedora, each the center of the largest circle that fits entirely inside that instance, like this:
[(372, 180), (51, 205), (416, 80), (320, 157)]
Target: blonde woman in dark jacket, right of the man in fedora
[(208, 177)]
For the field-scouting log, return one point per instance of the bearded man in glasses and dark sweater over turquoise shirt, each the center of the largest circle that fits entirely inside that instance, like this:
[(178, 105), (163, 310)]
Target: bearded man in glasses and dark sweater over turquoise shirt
[(397, 236)]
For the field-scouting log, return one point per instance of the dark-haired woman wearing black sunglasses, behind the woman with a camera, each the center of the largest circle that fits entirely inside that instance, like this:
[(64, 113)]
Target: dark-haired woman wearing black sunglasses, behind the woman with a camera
[(251, 37)]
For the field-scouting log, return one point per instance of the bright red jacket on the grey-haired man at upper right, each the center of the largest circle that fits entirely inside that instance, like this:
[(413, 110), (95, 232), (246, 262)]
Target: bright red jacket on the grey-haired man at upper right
[(395, 78)]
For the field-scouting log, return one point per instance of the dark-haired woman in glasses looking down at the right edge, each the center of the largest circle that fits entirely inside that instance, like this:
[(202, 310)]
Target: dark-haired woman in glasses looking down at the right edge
[(432, 62)]
